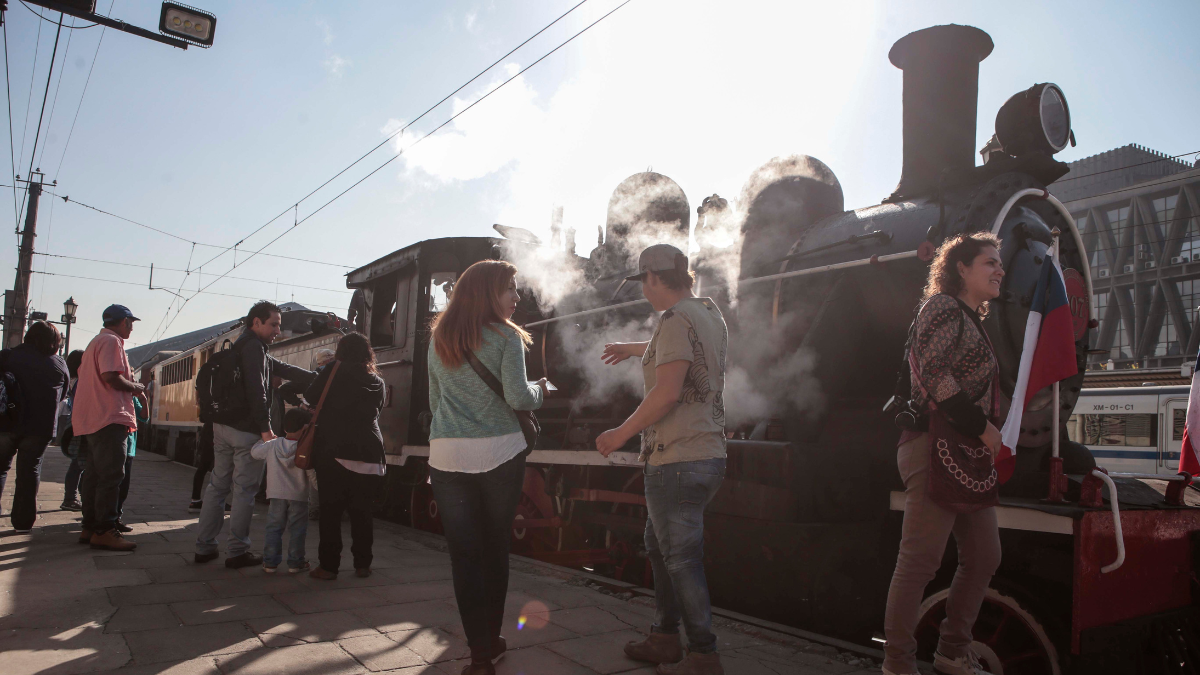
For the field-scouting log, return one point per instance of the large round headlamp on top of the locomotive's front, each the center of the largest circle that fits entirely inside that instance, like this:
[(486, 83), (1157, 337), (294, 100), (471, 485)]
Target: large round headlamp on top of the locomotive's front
[(1036, 121)]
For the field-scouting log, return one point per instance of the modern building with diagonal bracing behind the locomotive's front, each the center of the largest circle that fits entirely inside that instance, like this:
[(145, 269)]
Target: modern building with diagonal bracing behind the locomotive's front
[(1139, 214)]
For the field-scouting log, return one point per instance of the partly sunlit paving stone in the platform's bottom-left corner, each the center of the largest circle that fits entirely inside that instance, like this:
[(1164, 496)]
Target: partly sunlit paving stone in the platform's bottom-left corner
[(50, 652)]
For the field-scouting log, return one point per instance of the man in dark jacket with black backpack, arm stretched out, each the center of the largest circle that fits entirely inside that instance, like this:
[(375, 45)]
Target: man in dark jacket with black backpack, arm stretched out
[(235, 391)]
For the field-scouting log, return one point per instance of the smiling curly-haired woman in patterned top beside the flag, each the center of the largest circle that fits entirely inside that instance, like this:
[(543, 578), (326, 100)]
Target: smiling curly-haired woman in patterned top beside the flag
[(947, 463)]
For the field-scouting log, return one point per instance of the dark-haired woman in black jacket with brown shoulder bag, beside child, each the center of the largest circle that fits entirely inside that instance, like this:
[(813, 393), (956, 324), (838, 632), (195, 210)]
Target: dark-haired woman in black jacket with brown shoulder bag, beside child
[(349, 453)]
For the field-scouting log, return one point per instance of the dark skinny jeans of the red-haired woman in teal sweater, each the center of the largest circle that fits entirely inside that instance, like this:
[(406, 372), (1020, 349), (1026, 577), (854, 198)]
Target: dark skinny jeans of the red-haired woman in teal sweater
[(477, 513)]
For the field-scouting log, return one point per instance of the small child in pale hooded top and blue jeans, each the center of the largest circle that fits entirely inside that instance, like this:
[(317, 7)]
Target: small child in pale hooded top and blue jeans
[(287, 487)]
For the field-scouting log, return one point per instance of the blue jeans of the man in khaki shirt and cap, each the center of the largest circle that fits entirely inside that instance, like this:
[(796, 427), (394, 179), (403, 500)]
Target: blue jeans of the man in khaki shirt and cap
[(676, 497)]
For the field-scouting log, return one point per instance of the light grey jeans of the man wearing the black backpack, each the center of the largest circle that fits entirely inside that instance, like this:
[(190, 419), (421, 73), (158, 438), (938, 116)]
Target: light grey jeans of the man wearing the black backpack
[(233, 469)]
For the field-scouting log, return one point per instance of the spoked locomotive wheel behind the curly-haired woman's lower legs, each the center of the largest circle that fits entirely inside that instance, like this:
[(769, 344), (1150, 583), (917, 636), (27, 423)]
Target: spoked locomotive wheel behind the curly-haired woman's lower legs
[(1010, 640)]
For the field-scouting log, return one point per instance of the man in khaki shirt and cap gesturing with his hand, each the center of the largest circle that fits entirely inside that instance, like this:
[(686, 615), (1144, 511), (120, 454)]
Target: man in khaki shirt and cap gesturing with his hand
[(682, 421)]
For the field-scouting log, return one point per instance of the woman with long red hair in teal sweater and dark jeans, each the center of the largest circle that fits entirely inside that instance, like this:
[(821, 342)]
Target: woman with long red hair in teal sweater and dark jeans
[(477, 446)]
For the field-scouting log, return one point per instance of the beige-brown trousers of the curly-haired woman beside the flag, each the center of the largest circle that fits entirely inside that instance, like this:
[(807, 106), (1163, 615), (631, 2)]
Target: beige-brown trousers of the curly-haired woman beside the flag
[(927, 528)]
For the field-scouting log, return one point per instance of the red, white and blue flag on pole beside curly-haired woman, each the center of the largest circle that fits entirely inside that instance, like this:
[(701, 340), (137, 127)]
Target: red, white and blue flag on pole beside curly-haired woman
[(1048, 356)]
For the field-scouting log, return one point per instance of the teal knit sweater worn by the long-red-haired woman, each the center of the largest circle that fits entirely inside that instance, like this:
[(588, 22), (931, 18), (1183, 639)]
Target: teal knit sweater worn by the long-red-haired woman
[(463, 404)]
